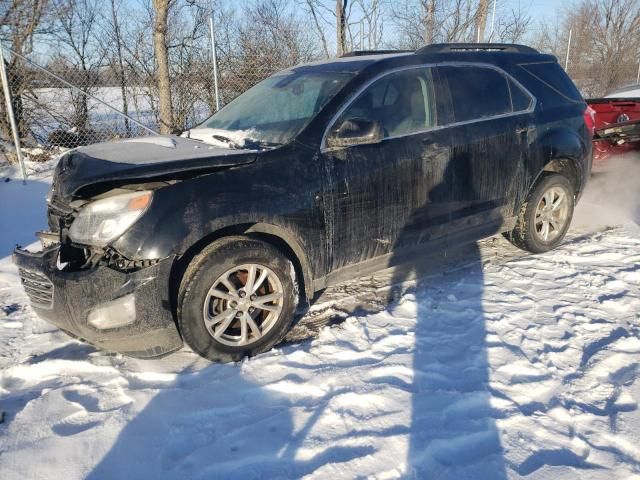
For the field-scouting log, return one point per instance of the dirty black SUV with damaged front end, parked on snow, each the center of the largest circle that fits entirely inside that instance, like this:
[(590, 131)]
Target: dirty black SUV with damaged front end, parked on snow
[(320, 173)]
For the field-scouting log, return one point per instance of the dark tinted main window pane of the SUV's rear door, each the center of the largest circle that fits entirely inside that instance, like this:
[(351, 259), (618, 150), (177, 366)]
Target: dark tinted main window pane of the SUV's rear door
[(477, 92)]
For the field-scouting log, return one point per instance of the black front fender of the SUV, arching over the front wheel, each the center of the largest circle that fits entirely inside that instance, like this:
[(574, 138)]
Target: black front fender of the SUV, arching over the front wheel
[(184, 215)]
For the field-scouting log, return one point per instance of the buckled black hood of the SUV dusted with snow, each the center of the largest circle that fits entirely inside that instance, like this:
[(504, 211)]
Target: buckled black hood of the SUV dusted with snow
[(146, 158)]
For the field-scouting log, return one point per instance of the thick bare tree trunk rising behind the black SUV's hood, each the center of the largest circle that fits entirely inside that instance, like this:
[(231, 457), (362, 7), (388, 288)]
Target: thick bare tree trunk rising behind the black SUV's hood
[(161, 8)]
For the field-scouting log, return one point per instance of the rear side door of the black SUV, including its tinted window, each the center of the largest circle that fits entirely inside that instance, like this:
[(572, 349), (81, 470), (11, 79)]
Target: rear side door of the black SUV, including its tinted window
[(491, 129)]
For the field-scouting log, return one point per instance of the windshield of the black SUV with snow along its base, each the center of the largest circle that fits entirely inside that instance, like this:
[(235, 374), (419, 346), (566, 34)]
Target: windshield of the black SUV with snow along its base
[(272, 112)]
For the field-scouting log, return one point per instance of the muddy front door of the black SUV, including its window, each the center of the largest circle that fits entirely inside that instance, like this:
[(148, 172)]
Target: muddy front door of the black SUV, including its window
[(391, 194)]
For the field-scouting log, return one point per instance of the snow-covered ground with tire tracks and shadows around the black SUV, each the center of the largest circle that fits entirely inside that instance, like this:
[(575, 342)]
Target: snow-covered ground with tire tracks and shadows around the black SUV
[(496, 364)]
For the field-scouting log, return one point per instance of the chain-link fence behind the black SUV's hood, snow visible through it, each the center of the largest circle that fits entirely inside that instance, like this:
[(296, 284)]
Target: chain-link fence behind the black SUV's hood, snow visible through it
[(63, 107)]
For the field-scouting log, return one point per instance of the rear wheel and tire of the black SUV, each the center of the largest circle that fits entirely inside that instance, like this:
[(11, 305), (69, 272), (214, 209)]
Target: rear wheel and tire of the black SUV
[(529, 235)]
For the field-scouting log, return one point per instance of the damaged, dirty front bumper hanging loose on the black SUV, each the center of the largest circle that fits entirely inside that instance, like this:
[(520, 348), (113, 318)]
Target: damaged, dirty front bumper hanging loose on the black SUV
[(73, 300)]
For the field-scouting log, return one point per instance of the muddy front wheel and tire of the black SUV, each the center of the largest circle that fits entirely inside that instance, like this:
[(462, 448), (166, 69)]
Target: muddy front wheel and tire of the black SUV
[(198, 300)]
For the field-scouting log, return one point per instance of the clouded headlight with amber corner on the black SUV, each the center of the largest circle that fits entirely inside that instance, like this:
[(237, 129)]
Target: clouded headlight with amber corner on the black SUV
[(103, 221)]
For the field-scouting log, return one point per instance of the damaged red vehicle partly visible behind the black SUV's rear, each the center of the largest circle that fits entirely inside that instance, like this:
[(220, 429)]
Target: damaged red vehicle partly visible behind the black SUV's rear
[(616, 125)]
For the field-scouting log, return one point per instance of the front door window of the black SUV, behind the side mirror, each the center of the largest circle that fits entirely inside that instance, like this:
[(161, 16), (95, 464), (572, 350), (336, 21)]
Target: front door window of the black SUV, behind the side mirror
[(401, 102)]
